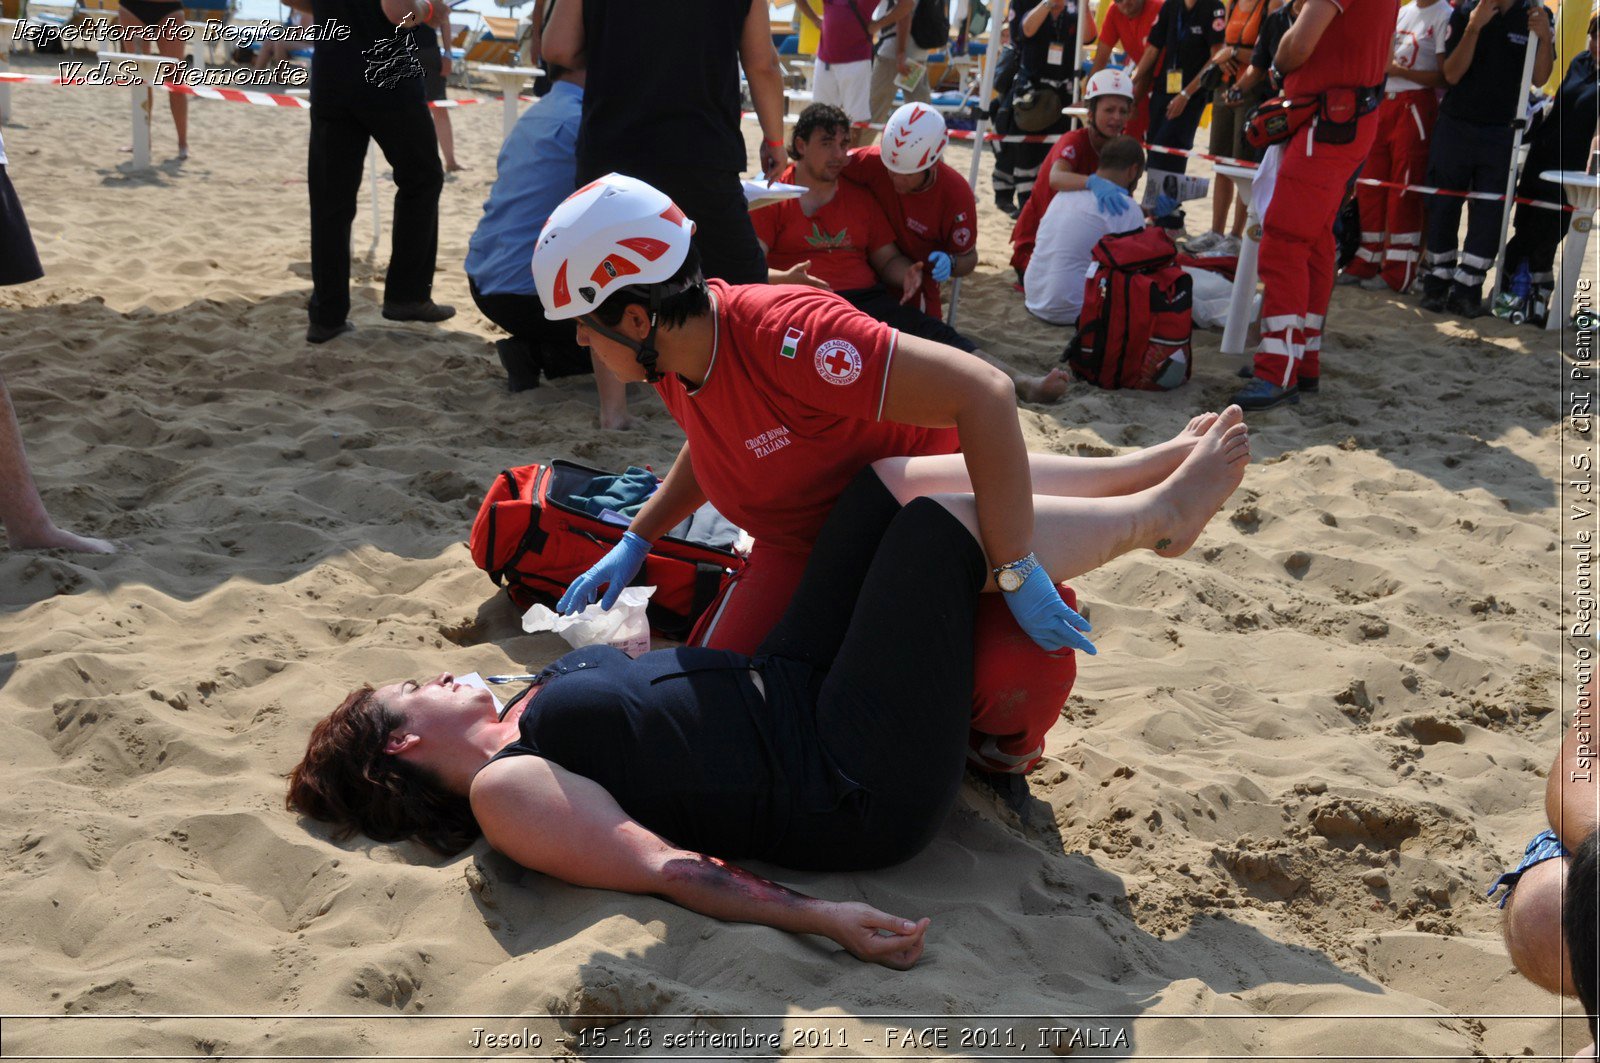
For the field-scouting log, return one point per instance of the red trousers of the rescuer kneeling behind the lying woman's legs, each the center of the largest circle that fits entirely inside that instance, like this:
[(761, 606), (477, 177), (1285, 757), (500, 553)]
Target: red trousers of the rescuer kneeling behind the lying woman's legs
[(1018, 689)]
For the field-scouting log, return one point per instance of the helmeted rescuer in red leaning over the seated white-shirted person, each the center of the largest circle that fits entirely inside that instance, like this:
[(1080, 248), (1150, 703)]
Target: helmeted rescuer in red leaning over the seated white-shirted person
[(1073, 161)]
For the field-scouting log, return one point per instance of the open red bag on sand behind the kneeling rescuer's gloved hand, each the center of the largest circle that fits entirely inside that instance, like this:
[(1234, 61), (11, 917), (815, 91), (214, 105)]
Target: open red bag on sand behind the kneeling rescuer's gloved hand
[(534, 540)]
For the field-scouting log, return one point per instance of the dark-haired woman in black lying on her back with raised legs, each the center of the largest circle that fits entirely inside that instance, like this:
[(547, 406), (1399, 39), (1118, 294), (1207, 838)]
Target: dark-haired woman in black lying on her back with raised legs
[(839, 747)]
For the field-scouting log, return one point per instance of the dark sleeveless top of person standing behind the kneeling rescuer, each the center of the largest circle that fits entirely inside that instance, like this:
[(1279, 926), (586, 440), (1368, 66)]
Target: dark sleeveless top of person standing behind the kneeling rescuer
[(663, 87)]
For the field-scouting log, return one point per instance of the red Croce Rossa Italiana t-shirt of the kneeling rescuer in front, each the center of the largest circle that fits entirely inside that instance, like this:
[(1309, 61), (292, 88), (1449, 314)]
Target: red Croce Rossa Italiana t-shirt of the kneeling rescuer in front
[(791, 409)]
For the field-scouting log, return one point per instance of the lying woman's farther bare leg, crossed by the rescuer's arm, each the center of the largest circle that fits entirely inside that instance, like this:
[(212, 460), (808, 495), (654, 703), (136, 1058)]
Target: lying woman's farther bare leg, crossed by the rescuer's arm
[(1054, 475)]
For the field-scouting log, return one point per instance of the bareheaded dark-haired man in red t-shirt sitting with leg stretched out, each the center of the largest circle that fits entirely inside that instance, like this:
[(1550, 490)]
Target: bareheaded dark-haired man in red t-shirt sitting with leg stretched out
[(839, 239)]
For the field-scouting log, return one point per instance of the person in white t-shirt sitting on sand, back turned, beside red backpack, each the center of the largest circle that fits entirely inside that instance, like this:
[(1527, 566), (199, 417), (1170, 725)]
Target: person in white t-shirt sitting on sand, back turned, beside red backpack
[(1070, 231)]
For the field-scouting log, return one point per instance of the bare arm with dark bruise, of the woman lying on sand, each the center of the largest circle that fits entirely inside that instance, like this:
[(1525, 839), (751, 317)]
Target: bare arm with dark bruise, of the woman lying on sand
[(570, 828)]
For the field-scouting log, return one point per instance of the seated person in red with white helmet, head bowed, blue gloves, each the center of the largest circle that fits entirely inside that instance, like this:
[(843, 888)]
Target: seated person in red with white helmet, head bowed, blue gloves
[(930, 206)]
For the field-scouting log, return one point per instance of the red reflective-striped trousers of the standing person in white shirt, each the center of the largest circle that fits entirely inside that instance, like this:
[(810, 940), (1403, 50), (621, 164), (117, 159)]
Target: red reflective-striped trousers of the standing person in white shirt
[(1391, 219)]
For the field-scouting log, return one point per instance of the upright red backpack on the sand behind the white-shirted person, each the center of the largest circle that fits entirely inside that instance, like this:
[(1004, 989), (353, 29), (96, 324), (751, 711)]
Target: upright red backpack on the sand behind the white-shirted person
[(1138, 316)]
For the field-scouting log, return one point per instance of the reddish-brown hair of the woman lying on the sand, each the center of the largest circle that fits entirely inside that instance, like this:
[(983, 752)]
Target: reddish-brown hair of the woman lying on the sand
[(346, 779)]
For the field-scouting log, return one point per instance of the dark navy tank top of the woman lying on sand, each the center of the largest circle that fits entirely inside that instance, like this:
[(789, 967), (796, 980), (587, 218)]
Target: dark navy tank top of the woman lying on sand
[(686, 744)]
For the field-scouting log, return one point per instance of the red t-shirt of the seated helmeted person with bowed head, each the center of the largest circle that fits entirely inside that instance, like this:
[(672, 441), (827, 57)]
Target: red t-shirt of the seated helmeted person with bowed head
[(940, 219)]
